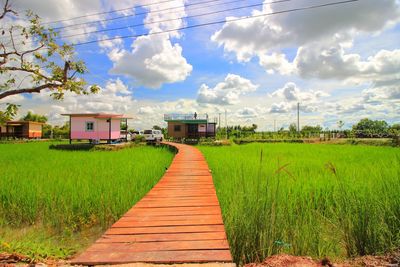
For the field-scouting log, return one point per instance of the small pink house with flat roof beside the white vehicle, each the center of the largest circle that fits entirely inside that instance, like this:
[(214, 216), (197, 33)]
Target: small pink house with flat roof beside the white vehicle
[(96, 126)]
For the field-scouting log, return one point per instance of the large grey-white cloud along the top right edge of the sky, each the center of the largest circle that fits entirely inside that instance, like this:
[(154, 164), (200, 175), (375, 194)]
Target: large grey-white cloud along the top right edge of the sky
[(251, 37)]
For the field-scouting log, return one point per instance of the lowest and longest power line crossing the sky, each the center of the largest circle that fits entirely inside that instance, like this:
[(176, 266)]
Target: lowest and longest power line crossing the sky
[(220, 22)]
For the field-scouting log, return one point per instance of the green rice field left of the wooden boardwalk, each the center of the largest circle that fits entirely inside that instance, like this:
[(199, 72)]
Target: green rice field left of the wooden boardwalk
[(52, 203)]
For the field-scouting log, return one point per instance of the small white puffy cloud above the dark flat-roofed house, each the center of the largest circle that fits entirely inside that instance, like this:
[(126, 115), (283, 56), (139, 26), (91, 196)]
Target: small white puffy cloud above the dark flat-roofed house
[(226, 92)]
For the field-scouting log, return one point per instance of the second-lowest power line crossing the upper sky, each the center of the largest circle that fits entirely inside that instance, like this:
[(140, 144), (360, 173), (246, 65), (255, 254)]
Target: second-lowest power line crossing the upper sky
[(174, 19)]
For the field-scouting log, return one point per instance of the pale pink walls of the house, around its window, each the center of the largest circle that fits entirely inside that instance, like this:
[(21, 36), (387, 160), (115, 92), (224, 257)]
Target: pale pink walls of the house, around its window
[(100, 131)]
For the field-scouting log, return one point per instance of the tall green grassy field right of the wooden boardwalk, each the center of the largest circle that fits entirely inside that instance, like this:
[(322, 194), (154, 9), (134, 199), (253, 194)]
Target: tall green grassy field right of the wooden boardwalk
[(317, 200)]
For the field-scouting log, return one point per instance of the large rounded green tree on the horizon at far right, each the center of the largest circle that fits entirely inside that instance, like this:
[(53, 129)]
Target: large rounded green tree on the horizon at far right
[(370, 128)]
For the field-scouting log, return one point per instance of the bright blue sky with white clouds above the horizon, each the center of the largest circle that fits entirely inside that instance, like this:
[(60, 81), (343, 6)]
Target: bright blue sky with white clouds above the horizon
[(340, 62)]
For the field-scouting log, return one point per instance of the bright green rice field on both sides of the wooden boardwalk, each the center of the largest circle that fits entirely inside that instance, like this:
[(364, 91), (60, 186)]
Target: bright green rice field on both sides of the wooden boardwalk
[(305, 199)]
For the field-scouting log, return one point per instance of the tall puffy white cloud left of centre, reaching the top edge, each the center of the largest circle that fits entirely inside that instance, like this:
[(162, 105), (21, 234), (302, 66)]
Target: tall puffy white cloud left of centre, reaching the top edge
[(154, 59)]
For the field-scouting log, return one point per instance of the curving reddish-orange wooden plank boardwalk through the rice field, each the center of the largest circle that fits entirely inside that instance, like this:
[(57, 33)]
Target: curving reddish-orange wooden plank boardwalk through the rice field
[(178, 221)]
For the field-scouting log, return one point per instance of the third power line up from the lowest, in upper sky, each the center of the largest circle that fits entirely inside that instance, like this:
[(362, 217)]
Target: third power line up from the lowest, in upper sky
[(146, 12)]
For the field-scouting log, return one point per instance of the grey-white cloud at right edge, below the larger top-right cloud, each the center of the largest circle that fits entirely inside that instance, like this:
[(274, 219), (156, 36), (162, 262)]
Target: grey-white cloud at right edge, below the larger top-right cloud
[(329, 60)]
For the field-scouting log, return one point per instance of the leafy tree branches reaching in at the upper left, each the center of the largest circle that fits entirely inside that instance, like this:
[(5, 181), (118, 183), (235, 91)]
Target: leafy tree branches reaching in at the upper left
[(31, 60)]
